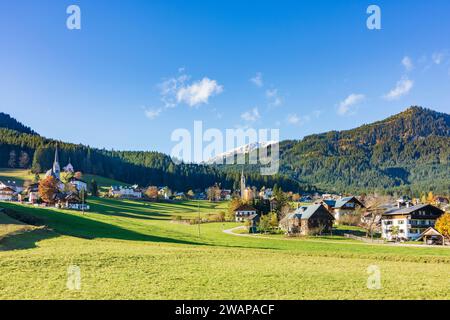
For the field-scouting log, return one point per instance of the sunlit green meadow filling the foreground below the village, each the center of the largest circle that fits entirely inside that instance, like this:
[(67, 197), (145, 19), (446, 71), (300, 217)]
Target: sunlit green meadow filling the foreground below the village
[(133, 250)]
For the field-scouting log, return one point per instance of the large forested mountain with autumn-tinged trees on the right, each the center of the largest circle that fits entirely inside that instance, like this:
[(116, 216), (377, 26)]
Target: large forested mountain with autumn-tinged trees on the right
[(408, 152)]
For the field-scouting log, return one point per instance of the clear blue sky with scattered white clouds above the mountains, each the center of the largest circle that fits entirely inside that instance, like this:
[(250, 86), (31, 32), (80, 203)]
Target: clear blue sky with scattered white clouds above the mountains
[(137, 70)]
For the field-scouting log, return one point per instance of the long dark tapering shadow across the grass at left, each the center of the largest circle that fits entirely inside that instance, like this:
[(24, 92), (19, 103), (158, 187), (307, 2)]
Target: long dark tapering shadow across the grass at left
[(77, 225)]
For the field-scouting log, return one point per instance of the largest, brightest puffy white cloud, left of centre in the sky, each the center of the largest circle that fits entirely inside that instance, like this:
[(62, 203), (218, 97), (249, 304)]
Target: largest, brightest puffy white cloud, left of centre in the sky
[(199, 92)]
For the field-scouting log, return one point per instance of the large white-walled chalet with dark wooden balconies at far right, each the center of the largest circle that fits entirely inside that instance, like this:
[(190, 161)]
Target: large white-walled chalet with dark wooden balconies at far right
[(408, 223)]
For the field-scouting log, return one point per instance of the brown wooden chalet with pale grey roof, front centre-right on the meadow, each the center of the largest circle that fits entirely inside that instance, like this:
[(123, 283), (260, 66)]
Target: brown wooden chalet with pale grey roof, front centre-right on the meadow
[(308, 220)]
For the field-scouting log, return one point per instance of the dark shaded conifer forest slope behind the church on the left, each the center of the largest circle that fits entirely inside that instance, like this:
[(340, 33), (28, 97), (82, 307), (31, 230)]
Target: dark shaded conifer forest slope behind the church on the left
[(29, 150)]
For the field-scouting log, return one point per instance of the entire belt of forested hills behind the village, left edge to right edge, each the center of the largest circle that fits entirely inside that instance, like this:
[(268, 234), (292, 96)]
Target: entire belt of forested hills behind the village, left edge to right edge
[(408, 153)]
